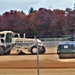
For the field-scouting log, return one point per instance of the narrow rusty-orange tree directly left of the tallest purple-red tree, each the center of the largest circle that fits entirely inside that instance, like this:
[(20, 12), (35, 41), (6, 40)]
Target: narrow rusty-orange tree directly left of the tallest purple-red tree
[(30, 20)]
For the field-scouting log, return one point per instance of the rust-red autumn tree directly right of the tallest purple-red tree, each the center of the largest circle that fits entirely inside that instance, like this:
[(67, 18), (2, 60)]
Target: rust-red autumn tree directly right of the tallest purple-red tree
[(58, 22)]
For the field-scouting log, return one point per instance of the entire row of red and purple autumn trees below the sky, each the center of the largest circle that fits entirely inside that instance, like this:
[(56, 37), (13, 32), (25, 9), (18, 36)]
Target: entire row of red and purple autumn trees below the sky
[(42, 22)]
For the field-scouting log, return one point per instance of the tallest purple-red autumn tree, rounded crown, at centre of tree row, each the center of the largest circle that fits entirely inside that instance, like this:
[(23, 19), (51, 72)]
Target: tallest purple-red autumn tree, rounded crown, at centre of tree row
[(43, 18)]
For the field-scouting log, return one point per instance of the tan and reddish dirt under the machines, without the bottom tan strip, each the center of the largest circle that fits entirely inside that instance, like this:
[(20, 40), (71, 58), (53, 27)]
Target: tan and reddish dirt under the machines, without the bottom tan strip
[(48, 60)]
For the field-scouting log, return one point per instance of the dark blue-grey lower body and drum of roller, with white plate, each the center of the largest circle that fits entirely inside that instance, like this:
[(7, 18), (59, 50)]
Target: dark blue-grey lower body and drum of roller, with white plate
[(66, 49)]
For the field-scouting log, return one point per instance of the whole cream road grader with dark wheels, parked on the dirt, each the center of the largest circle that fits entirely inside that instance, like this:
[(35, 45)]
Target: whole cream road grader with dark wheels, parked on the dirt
[(9, 40)]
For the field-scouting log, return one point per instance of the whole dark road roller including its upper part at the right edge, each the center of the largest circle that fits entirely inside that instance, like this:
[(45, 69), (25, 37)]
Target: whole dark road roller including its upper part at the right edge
[(66, 49)]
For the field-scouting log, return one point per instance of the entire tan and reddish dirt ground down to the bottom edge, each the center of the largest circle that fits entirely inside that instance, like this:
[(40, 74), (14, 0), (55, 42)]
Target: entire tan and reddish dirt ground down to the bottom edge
[(49, 63)]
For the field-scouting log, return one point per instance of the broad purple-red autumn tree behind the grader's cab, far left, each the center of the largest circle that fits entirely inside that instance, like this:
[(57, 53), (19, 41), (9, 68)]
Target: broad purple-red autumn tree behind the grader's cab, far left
[(14, 21)]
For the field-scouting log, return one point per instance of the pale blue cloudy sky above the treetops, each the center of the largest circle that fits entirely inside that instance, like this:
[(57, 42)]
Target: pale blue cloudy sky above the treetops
[(25, 5)]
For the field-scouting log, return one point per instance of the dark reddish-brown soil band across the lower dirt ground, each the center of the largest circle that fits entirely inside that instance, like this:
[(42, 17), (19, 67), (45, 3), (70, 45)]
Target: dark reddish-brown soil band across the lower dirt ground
[(32, 64)]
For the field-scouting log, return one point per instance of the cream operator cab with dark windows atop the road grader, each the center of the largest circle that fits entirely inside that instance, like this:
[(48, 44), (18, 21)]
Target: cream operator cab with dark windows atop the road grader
[(6, 36)]
